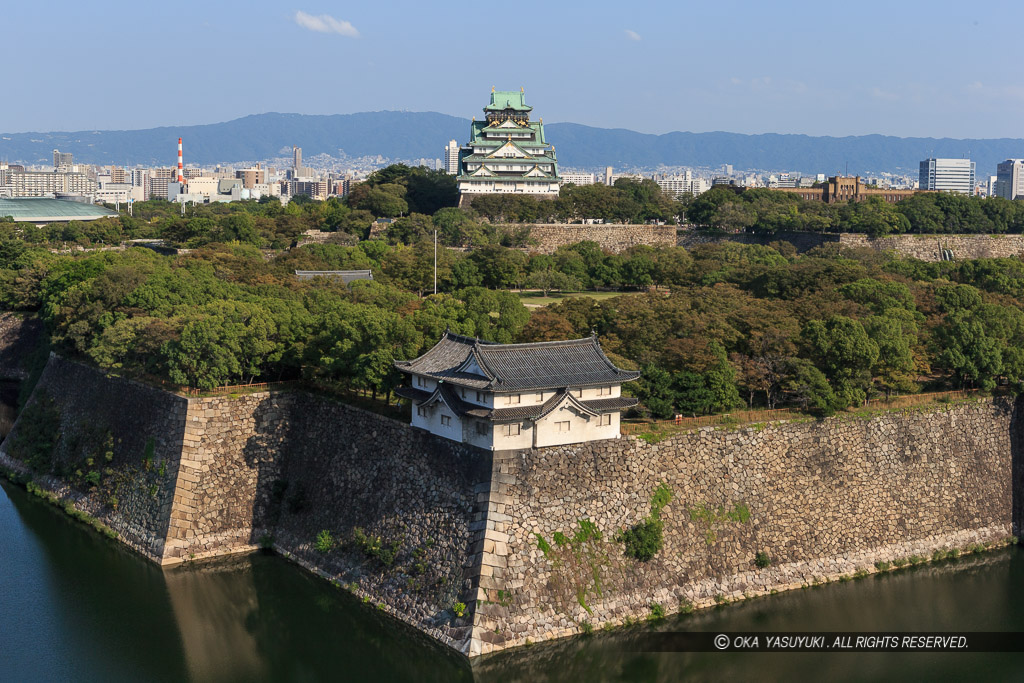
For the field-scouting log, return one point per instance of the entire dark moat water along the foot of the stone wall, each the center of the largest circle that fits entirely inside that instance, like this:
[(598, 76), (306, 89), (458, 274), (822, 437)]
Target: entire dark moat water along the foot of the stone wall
[(76, 607)]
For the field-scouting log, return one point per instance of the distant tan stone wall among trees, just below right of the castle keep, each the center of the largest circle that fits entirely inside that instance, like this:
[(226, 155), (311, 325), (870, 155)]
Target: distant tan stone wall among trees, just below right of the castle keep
[(614, 238)]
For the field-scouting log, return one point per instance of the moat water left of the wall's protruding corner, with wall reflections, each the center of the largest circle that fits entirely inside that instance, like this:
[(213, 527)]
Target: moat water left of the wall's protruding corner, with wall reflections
[(74, 602)]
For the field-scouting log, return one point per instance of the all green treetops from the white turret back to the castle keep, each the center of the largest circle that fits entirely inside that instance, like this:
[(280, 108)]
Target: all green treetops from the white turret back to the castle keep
[(713, 329)]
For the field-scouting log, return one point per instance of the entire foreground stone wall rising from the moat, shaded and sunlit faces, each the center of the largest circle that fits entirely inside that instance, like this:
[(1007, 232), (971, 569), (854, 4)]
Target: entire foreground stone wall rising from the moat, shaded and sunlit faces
[(417, 525)]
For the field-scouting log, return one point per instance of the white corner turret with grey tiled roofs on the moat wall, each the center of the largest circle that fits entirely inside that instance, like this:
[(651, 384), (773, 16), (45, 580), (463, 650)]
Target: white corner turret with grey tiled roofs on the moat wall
[(503, 397)]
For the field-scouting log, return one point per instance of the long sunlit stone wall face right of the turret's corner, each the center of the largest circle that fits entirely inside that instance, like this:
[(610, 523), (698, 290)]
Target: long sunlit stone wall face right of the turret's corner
[(825, 499)]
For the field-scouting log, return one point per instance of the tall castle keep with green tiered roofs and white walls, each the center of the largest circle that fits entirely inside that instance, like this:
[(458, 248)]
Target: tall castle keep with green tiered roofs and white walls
[(507, 152)]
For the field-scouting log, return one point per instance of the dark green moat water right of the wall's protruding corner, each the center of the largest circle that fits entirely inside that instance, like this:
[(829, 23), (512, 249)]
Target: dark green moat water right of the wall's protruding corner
[(978, 593)]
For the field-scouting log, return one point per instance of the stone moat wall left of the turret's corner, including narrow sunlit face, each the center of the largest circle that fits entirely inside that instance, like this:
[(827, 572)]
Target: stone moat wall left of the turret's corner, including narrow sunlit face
[(205, 478)]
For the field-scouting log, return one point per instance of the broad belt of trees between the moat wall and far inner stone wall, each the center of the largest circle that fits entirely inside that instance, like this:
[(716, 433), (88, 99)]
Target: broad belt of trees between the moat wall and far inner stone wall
[(729, 325)]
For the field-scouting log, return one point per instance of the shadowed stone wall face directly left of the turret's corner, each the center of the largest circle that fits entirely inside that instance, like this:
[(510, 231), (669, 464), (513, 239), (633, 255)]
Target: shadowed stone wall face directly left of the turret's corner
[(397, 504)]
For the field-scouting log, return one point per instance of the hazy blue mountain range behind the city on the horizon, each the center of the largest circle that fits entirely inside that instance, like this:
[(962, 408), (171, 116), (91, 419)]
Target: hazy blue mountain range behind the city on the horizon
[(414, 136)]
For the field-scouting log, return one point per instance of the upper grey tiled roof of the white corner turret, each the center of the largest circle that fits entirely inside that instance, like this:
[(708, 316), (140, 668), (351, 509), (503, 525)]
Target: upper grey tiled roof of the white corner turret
[(501, 368)]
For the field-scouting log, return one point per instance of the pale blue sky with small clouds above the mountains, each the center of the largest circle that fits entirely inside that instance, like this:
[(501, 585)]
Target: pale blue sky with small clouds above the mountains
[(930, 69)]
